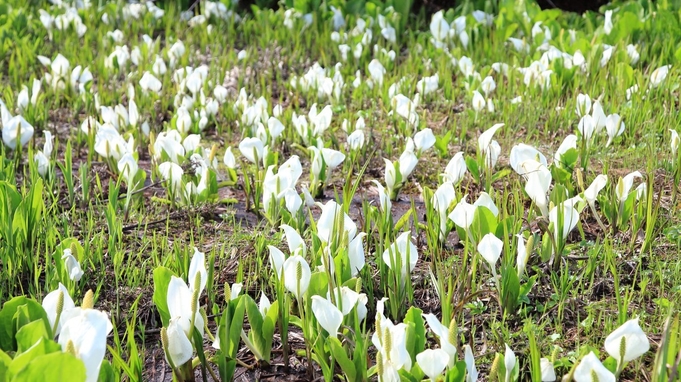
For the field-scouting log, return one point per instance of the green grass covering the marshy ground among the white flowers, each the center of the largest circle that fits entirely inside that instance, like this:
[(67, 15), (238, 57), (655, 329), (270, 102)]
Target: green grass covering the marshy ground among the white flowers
[(604, 276)]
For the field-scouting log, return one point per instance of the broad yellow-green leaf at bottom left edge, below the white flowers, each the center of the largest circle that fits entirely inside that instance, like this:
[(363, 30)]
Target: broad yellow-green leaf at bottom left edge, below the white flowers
[(54, 367)]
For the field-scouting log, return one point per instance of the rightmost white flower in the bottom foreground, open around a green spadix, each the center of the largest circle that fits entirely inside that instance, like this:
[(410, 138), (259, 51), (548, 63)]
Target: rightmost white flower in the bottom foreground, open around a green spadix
[(627, 342)]
